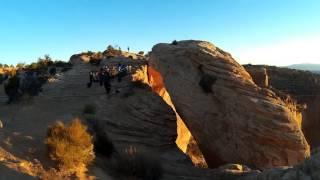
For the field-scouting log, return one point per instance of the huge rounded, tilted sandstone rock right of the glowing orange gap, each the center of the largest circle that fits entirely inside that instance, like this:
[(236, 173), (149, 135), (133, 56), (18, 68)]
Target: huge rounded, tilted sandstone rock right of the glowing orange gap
[(231, 118)]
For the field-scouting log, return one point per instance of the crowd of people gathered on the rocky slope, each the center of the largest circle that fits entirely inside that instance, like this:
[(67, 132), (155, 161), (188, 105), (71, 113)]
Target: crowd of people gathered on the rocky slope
[(104, 76)]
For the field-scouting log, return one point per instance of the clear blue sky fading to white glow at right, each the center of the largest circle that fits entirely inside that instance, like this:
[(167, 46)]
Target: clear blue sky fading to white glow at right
[(277, 32)]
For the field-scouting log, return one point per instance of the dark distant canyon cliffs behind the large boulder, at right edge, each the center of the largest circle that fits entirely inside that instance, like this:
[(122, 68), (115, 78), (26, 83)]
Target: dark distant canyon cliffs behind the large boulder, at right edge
[(303, 86)]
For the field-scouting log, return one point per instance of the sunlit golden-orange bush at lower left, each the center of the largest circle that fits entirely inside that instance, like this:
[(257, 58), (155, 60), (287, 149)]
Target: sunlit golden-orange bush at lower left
[(70, 146)]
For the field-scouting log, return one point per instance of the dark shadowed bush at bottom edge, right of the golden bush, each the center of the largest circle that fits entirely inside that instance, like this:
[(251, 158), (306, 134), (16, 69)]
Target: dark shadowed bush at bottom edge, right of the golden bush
[(137, 166)]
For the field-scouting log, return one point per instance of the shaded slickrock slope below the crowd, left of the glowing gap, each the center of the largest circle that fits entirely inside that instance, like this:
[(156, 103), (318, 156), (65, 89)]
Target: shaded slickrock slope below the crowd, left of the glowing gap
[(134, 117)]
